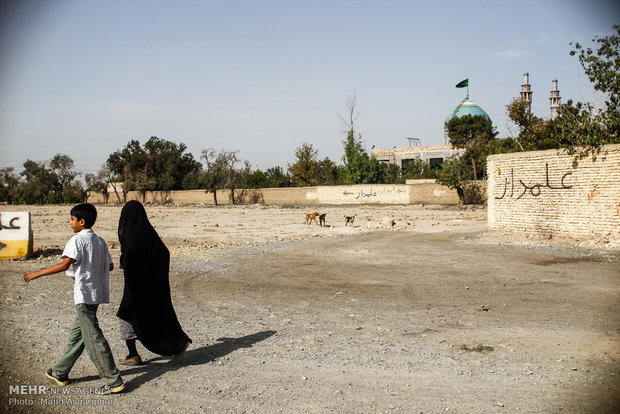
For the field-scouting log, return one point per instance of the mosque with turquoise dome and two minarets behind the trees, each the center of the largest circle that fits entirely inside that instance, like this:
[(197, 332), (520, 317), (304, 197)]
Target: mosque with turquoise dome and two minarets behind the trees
[(435, 155)]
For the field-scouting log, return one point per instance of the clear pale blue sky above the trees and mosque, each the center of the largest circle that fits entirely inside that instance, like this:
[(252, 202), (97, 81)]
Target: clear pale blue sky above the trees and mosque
[(83, 78)]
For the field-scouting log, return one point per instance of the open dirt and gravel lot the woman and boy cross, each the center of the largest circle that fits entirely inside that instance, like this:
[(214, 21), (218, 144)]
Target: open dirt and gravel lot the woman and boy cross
[(429, 315)]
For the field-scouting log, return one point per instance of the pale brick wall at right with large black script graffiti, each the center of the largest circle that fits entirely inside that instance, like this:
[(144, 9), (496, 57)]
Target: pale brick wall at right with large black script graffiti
[(550, 194)]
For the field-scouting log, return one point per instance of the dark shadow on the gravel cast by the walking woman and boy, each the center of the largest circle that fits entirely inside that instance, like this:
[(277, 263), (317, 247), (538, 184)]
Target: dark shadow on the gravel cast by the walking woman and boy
[(152, 368)]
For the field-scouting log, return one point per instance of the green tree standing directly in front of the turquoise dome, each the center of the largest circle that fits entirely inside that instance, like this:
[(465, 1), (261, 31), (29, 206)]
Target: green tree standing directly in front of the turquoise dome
[(474, 133)]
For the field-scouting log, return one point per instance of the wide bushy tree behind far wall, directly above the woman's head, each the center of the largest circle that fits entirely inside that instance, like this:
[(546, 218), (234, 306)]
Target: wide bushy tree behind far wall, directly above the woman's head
[(160, 165)]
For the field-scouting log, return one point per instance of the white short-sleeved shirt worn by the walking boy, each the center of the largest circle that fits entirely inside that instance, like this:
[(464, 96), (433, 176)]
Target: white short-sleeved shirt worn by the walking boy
[(91, 269)]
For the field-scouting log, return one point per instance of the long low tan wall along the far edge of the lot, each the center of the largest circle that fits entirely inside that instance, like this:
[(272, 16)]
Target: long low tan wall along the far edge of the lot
[(423, 193)]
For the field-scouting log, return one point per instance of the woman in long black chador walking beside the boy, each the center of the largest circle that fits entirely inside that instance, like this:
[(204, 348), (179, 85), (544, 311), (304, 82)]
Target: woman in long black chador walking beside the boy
[(146, 310)]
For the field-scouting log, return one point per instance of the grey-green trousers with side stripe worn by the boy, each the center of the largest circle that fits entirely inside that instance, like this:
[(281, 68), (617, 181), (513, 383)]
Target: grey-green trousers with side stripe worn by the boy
[(85, 333)]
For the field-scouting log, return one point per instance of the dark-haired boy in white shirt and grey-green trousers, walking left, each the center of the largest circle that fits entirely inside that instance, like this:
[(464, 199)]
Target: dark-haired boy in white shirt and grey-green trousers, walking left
[(91, 261)]
